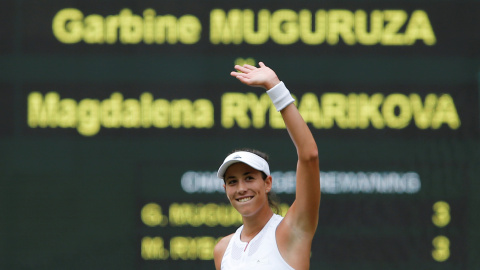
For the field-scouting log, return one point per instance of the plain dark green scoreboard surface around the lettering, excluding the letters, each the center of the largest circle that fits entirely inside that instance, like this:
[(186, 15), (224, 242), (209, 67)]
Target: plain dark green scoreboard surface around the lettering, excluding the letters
[(73, 202)]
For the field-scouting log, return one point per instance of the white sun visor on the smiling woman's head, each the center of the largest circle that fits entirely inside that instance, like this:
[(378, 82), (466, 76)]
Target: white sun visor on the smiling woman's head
[(248, 158)]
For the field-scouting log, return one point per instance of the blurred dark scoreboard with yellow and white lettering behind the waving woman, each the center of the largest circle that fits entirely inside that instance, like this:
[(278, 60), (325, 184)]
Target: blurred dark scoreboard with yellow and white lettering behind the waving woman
[(115, 116)]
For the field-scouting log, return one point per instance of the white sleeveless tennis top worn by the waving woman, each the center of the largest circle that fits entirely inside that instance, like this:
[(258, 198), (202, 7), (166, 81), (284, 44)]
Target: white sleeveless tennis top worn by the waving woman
[(260, 253)]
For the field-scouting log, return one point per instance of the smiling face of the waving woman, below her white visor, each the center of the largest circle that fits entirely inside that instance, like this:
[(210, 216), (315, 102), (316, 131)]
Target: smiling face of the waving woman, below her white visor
[(246, 189)]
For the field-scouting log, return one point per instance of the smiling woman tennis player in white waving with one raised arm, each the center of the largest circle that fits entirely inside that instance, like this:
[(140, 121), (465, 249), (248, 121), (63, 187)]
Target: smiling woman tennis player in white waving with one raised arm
[(266, 240)]
